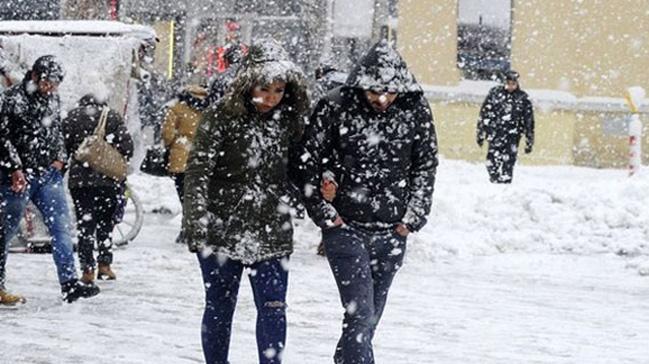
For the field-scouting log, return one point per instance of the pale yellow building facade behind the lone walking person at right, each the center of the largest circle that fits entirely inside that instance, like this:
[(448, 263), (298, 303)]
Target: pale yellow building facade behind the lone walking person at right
[(576, 59)]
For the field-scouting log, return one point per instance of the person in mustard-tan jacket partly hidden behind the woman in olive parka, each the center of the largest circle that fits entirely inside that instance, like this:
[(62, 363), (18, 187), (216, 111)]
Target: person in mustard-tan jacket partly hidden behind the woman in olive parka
[(178, 132)]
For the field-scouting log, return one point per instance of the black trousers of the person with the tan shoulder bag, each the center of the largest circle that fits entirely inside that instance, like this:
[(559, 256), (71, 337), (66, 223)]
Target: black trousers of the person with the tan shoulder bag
[(95, 209)]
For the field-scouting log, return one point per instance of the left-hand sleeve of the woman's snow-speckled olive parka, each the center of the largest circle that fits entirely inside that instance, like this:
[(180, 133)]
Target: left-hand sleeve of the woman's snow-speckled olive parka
[(200, 166)]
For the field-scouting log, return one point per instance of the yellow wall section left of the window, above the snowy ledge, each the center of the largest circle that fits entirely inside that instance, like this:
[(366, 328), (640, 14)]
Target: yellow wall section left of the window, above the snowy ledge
[(428, 39)]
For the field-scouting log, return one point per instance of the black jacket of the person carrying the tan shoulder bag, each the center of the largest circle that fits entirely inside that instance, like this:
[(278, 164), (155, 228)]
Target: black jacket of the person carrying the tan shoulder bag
[(80, 123)]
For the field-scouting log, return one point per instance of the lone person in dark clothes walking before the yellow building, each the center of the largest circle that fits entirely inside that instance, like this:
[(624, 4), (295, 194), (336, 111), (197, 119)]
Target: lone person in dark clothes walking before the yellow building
[(505, 116)]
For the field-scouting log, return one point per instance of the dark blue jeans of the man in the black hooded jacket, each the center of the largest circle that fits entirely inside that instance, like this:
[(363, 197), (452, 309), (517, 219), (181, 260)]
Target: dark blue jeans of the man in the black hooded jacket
[(363, 264)]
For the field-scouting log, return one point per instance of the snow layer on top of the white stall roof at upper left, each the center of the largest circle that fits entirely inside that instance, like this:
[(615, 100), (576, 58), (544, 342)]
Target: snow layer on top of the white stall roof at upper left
[(80, 27)]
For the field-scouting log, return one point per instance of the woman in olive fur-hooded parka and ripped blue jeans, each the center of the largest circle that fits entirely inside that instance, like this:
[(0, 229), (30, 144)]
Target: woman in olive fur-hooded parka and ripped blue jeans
[(235, 210)]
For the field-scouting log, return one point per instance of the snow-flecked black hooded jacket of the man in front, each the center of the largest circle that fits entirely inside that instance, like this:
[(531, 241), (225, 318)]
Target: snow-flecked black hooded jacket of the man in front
[(384, 162)]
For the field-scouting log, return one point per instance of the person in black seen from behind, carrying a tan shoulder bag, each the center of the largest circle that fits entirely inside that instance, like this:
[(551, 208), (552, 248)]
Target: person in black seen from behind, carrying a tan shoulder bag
[(95, 196)]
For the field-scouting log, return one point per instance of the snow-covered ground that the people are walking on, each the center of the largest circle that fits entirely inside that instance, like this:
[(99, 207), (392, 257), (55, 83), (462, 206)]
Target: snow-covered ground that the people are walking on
[(543, 271)]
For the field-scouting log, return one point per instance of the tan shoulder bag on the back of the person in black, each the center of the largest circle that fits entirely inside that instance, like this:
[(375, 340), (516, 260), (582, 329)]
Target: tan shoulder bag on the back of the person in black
[(100, 155)]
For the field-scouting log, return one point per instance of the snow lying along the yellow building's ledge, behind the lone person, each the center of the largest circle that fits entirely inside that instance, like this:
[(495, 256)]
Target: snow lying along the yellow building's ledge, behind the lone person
[(476, 91)]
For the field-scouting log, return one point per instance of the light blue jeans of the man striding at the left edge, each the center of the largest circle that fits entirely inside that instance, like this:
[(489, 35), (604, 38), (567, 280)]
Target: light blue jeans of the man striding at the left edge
[(47, 192)]
